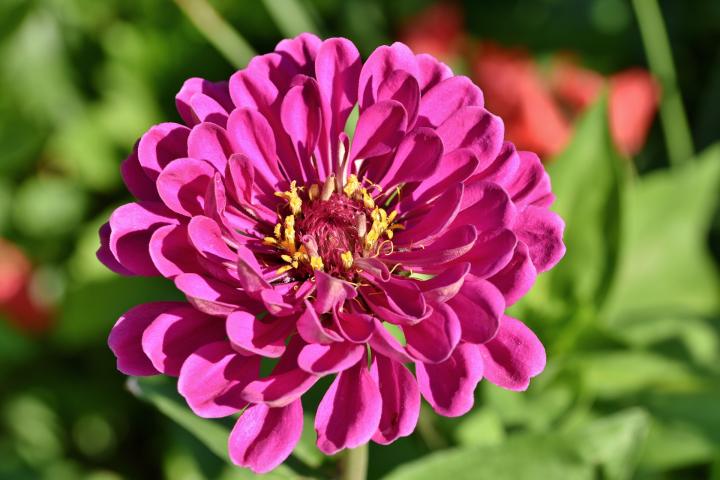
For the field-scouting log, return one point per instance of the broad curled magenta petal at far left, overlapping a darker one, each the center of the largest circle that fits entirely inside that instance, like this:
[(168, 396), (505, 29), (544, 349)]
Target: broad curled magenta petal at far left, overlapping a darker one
[(131, 227)]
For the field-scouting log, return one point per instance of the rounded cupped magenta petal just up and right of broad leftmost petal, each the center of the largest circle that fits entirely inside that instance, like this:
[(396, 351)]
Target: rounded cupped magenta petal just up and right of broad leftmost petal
[(182, 185)]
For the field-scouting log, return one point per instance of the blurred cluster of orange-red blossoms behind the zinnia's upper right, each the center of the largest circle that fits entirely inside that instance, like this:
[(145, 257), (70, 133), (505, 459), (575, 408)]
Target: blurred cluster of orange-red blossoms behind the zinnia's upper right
[(539, 106)]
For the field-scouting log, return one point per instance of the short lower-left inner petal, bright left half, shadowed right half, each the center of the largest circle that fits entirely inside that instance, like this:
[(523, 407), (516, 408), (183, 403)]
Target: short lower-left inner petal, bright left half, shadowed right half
[(252, 334)]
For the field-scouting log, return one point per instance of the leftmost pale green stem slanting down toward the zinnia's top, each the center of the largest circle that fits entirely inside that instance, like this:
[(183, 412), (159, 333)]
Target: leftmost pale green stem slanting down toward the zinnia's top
[(218, 32)]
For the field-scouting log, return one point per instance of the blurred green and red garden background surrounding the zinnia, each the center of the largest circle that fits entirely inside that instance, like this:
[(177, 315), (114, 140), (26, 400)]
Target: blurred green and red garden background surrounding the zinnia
[(630, 318)]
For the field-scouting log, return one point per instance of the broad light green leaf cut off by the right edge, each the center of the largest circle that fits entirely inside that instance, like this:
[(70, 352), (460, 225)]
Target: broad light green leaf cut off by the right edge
[(666, 266)]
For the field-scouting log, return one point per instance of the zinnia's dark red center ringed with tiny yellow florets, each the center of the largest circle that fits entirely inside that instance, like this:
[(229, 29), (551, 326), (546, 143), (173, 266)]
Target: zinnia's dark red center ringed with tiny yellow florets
[(325, 227)]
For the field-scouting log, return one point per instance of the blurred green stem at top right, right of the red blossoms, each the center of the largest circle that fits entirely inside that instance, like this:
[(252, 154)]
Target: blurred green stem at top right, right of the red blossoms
[(657, 48)]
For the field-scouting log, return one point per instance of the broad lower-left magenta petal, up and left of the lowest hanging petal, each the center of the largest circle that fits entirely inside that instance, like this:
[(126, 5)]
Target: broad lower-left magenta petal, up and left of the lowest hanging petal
[(212, 379)]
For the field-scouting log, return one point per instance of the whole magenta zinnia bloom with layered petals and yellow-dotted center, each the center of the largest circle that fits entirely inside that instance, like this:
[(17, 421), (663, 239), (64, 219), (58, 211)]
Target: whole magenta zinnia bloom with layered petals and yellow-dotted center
[(295, 241)]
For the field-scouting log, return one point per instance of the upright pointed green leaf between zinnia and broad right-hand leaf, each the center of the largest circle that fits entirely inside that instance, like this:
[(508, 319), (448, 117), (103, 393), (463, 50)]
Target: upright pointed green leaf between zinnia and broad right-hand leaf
[(588, 181)]
